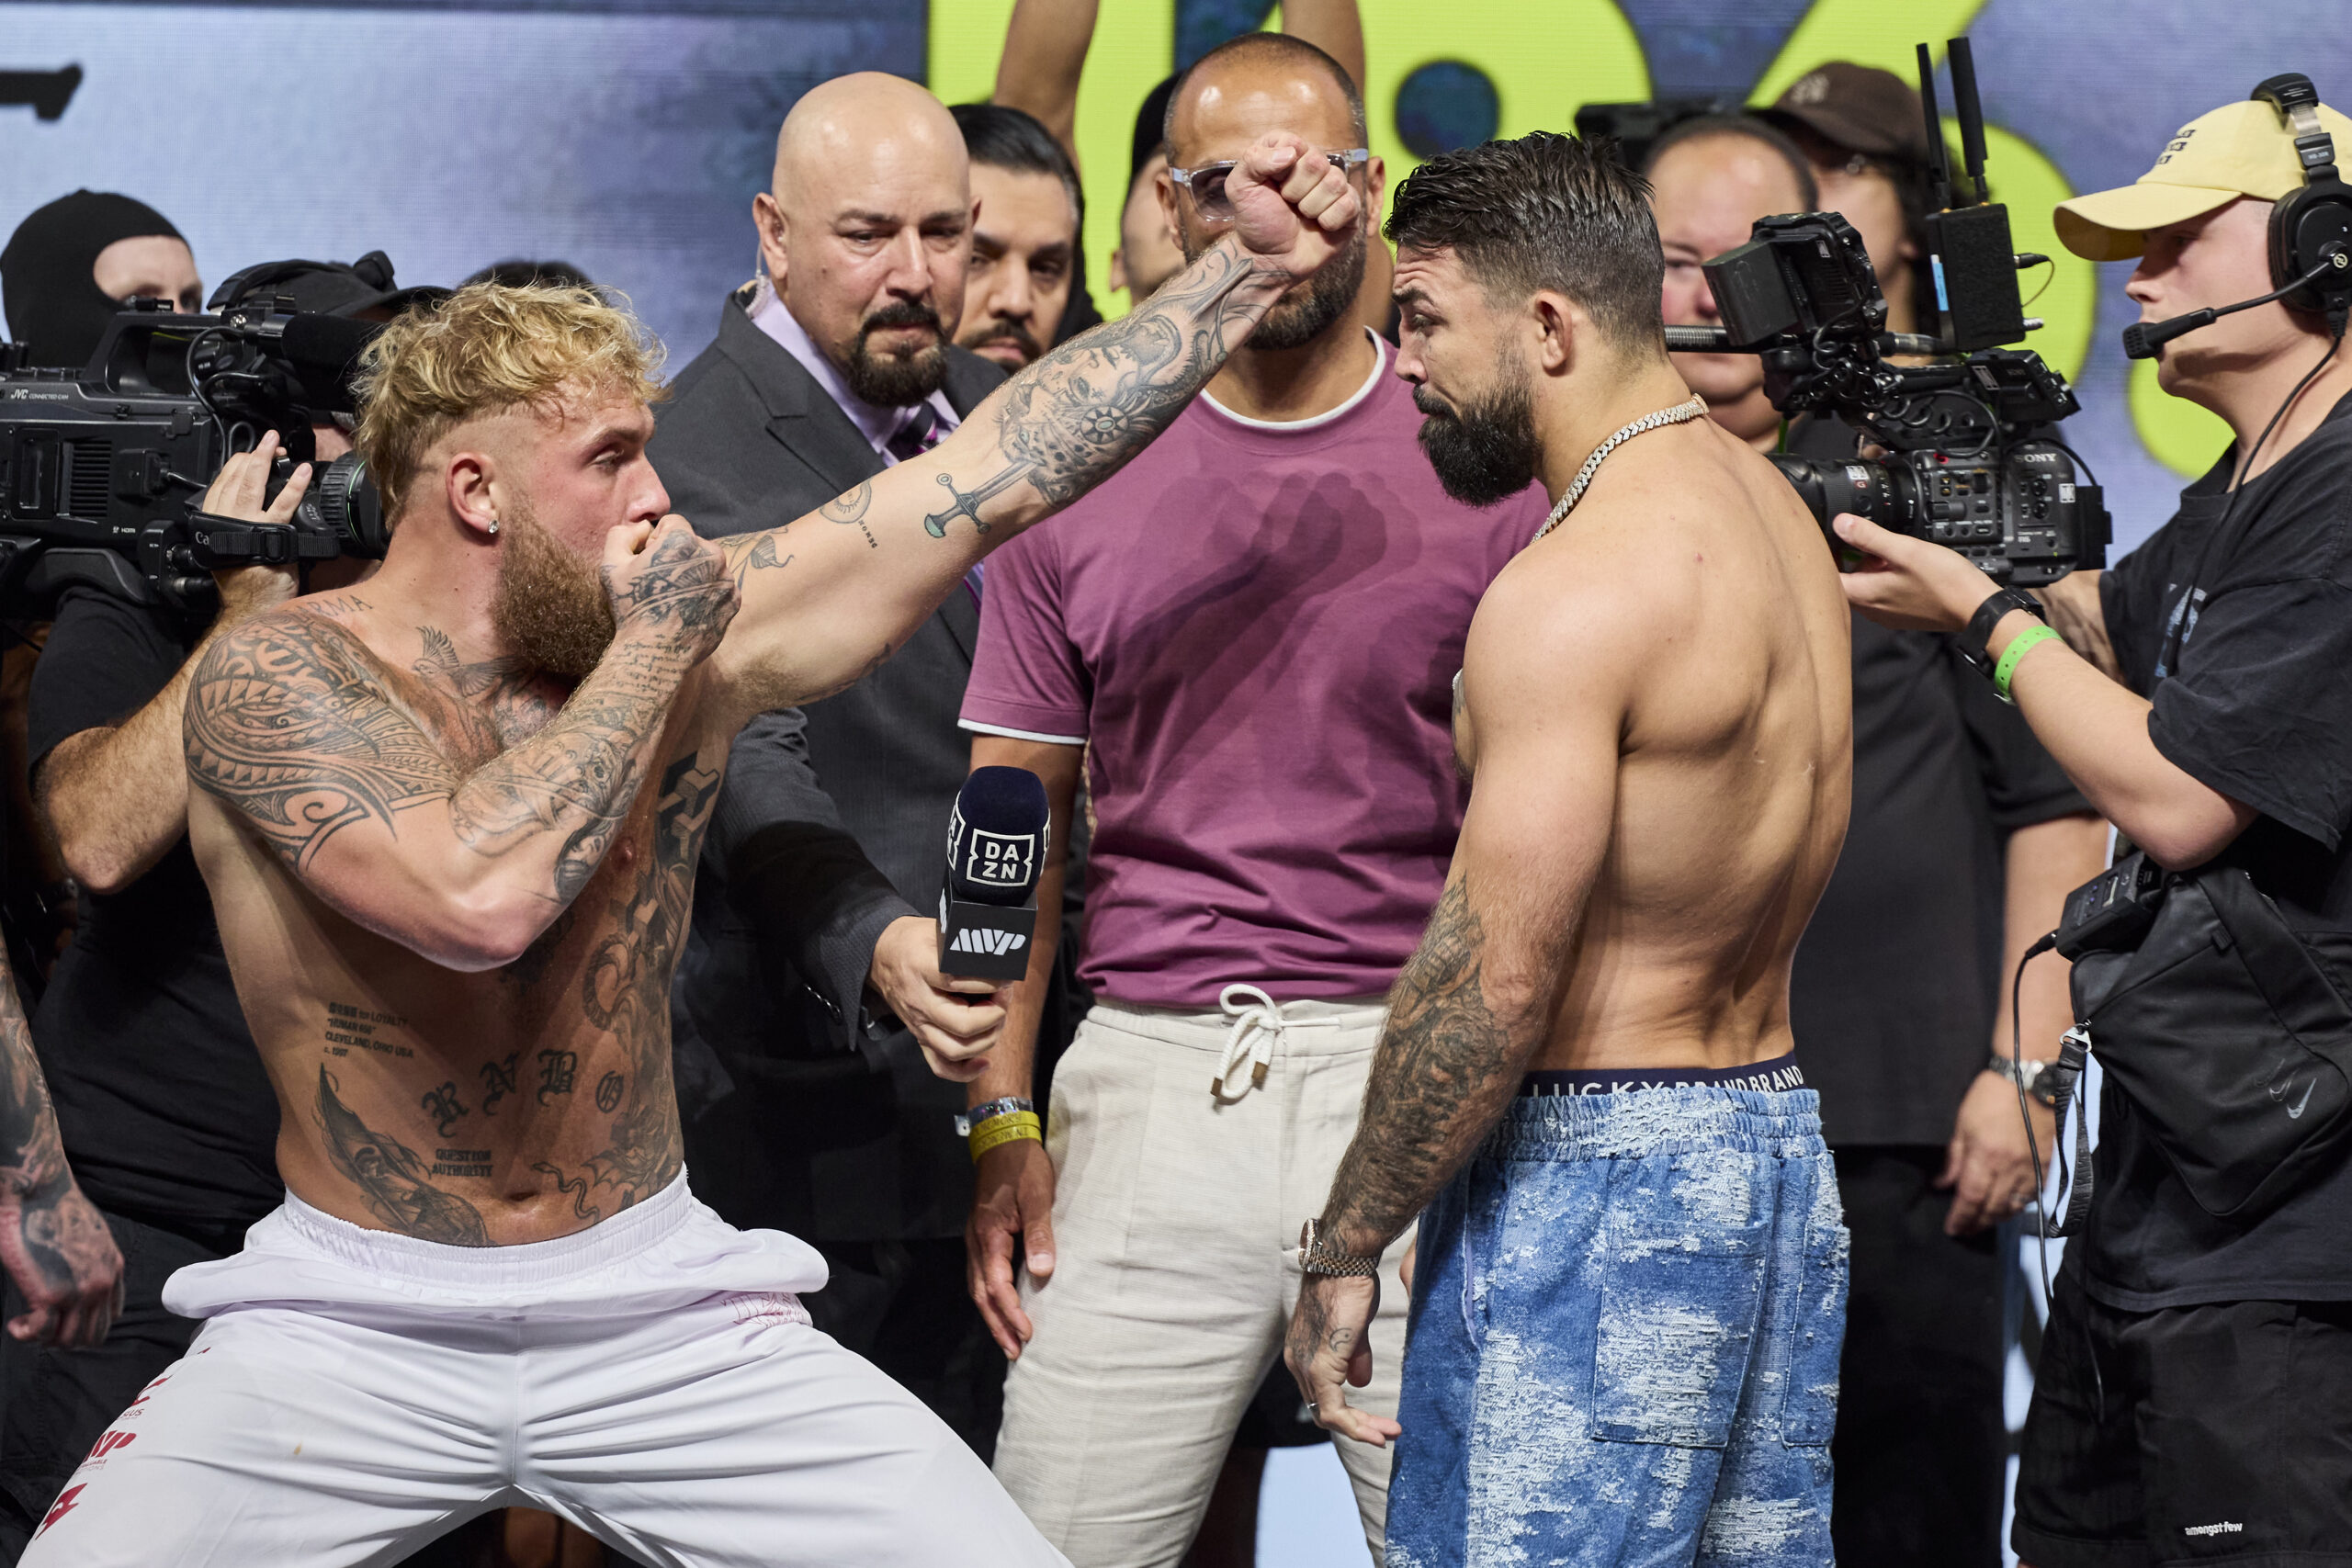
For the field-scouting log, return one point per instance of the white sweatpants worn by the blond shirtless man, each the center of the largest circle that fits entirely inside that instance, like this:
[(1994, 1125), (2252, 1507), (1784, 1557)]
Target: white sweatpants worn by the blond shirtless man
[(650, 1379)]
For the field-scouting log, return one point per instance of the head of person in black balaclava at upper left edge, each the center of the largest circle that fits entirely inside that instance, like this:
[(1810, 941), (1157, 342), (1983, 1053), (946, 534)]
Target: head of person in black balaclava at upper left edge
[(72, 264)]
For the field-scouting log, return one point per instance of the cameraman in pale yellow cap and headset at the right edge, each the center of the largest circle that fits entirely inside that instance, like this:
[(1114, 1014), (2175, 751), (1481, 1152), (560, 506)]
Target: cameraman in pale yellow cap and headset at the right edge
[(2196, 1386)]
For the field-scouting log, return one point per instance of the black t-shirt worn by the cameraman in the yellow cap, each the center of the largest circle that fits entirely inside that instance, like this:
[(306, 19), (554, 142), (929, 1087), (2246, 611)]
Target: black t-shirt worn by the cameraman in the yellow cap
[(2257, 702)]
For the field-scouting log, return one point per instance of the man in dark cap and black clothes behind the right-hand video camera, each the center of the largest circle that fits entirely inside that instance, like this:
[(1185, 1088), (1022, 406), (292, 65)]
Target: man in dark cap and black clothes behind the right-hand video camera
[(1960, 852)]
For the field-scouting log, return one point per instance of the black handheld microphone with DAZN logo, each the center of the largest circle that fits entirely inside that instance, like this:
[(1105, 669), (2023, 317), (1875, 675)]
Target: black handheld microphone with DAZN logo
[(996, 855)]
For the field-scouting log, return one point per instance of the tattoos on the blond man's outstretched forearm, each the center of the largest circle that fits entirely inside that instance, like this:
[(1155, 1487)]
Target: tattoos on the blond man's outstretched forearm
[(1074, 417)]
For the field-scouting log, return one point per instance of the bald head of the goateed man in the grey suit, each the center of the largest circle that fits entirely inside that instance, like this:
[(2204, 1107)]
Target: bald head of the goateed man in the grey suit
[(867, 232)]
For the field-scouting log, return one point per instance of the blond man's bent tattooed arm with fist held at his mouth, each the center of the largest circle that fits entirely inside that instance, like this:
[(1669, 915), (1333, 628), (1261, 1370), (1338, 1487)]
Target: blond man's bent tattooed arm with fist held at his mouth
[(293, 732)]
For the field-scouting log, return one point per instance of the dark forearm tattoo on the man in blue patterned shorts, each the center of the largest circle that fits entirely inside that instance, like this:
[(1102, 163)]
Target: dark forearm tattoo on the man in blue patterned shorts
[(1445, 1073)]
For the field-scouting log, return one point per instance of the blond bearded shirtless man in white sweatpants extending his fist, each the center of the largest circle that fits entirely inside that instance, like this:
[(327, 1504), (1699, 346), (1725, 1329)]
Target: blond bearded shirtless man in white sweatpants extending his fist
[(450, 824)]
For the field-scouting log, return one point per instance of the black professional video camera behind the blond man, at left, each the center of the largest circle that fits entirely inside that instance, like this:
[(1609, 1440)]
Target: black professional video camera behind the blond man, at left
[(102, 469)]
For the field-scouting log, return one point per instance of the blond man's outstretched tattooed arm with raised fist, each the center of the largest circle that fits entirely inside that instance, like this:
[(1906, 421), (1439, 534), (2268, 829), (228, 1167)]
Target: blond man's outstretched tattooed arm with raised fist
[(836, 594)]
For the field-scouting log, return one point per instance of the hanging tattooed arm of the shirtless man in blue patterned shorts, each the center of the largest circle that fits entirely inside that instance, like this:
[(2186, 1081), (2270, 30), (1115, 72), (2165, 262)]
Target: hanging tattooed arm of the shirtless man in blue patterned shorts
[(1481, 996)]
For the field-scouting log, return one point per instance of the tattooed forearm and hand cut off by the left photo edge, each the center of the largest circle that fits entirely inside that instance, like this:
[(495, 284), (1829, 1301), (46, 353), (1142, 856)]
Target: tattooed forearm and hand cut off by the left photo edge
[(53, 1242)]
